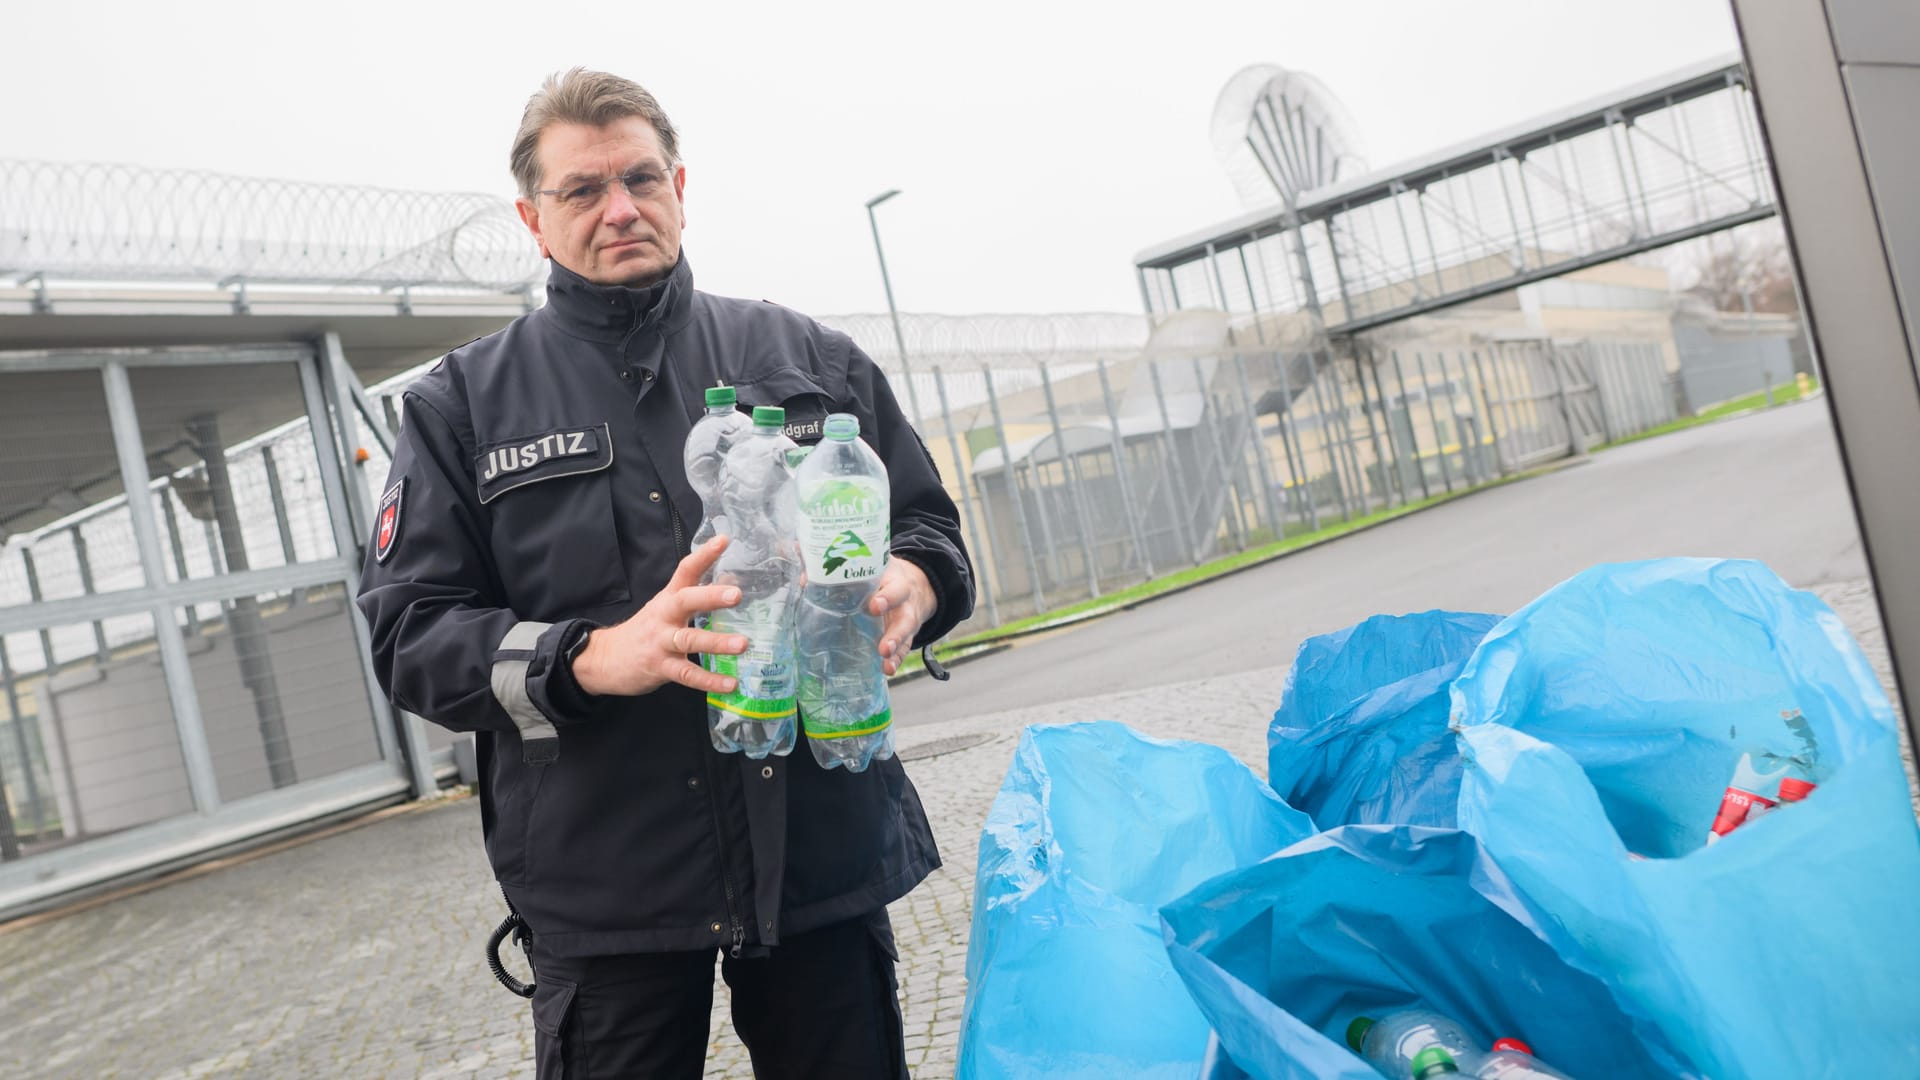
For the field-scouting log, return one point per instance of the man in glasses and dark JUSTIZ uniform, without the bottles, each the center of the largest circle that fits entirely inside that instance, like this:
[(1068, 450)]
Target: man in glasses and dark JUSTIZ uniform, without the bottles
[(531, 581)]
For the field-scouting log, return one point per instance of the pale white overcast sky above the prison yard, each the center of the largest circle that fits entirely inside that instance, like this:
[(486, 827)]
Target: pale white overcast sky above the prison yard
[(1040, 145)]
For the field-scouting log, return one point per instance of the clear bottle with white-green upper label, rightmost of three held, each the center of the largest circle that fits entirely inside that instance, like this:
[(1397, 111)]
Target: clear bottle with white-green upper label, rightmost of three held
[(846, 526)]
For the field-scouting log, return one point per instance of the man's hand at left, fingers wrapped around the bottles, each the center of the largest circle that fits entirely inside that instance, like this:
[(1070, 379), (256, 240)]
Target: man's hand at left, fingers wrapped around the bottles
[(652, 649)]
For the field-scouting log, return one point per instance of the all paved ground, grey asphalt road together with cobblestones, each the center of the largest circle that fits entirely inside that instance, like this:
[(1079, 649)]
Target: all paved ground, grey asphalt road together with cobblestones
[(358, 954)]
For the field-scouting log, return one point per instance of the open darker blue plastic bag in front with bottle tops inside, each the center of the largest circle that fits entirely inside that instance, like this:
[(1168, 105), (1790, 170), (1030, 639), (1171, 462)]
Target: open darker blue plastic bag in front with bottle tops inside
[(1362, 921)]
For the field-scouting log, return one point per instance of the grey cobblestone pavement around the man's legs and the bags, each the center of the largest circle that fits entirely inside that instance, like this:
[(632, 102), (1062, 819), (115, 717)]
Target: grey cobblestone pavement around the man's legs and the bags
[(360, 954)]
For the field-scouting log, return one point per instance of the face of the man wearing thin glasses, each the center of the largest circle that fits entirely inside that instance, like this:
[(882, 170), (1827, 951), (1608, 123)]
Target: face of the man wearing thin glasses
[(608, 235)]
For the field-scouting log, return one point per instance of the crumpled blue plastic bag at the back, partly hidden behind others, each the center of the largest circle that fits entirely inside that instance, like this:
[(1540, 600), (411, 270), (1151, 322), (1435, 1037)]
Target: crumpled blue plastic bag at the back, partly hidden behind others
[(1362, 731)]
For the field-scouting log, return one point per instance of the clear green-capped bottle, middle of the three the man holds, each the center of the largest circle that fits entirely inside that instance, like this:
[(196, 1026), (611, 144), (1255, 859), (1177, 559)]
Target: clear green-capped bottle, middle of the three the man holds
[(763, 560)]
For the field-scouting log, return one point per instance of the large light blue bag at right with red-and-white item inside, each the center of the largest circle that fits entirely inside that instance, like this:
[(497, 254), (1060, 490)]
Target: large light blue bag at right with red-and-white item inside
[(1602, 725)]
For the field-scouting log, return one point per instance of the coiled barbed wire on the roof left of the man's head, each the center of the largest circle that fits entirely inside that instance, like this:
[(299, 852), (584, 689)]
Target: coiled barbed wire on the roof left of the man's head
[(110, 222)]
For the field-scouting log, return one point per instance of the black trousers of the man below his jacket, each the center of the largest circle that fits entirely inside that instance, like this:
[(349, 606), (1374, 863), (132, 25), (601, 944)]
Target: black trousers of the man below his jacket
[(821, 1006)]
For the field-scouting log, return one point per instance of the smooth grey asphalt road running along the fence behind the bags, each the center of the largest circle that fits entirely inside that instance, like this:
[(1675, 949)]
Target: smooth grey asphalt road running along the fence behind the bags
[(1765, 487)]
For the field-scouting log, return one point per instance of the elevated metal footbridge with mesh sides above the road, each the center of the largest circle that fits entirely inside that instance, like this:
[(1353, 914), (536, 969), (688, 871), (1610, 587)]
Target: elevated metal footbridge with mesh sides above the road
[(1652, 166)]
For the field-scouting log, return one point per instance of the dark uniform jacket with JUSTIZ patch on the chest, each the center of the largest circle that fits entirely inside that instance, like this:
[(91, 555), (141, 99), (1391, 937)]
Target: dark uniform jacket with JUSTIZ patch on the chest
[(539, 491)]
